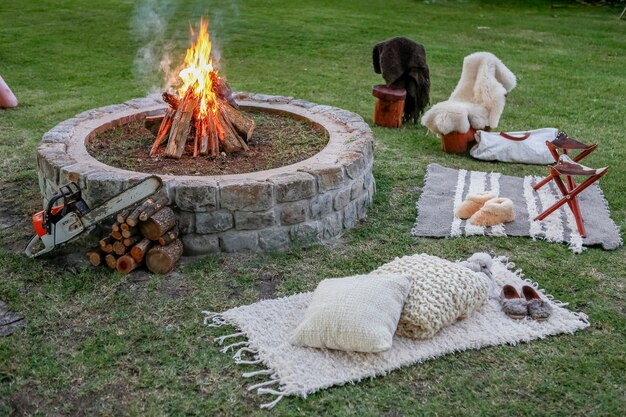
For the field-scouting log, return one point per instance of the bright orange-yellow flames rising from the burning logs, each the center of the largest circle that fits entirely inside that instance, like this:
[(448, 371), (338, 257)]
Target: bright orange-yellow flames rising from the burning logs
[(199, 73)]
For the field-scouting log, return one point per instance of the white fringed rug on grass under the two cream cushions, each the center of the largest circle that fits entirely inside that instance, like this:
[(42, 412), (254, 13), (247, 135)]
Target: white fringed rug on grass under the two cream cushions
[(264, 330)]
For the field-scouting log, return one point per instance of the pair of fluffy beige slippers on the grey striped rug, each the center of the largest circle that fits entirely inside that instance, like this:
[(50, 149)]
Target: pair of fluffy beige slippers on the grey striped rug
[(485, 209)]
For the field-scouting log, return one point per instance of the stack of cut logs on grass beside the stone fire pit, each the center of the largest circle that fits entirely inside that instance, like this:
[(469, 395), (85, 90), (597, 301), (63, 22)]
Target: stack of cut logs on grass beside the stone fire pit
[(146, 234)]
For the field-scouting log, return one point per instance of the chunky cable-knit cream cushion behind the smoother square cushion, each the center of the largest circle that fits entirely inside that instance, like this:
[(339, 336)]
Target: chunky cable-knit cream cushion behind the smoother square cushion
[(441, 293)]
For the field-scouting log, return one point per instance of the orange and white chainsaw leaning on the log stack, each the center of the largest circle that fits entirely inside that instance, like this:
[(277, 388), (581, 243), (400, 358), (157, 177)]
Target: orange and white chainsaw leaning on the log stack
[(67, 215)]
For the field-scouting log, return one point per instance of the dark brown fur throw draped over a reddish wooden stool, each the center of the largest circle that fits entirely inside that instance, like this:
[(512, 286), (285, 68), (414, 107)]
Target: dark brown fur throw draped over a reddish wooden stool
[(402, 63)]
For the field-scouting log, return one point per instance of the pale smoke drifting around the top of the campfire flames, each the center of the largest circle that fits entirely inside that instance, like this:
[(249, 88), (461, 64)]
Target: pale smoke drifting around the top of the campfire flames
[(159, 58)]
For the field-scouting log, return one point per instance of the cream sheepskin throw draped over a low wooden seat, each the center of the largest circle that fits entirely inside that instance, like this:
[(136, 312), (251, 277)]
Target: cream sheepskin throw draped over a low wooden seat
[(478, 99)]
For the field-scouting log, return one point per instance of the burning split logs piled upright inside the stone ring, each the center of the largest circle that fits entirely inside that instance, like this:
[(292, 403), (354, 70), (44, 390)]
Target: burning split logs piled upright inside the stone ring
[(219, 128)]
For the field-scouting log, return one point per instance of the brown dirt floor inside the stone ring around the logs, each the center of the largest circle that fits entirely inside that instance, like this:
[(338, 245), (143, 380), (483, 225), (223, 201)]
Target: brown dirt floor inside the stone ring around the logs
[(277, 141)]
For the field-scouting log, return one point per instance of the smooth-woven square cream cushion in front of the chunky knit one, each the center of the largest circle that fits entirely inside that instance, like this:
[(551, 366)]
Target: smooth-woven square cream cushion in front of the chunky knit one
[(358, 313)]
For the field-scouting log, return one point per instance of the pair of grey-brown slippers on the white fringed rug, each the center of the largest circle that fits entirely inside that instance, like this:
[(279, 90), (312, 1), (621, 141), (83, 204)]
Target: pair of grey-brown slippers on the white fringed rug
[(532, 305)]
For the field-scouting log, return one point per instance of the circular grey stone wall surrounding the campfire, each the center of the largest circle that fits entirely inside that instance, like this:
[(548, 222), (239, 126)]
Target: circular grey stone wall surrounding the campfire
[(311, 201)]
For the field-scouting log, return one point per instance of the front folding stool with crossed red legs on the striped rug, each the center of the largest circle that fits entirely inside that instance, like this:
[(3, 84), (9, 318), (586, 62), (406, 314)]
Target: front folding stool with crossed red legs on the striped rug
[(567, 167)]
